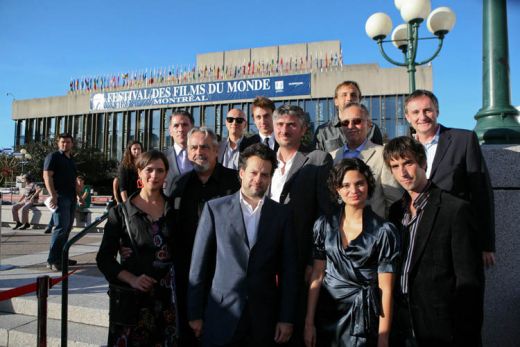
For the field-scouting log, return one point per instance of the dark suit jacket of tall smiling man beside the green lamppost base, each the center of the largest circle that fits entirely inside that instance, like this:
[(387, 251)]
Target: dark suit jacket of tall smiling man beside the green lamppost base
[(459, 168)]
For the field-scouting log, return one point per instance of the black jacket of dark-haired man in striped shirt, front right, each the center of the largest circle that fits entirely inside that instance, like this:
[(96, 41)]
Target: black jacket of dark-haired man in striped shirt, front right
[(446, 274)]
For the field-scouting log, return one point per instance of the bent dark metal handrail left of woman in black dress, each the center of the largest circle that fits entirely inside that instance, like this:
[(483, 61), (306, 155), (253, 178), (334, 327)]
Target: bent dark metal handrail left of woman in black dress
[(65, 270)]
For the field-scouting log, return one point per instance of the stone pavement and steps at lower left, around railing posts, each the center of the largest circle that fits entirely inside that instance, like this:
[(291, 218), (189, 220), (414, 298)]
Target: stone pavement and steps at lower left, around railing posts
[(23, 255)]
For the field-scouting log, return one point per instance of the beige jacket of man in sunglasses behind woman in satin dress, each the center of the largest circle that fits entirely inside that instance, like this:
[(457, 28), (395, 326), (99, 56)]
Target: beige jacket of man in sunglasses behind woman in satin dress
[(387, 190)]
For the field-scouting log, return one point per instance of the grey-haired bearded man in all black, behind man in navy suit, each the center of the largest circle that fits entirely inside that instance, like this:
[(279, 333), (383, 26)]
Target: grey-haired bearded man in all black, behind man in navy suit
[(207, 180)]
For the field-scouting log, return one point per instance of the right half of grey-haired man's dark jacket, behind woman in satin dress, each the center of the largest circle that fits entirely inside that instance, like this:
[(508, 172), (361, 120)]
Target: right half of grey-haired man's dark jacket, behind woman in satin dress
[(305, 191)]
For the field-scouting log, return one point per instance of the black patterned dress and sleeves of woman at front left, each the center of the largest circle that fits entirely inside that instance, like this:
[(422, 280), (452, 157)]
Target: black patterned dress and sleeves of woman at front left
[(156, 321)]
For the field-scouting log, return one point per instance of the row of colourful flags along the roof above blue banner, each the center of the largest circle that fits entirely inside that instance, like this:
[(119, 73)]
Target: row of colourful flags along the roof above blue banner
[(189, 74)]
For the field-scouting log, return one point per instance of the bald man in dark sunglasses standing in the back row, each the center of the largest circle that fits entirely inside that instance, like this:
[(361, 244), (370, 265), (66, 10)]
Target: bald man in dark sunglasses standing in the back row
[(229, 147)]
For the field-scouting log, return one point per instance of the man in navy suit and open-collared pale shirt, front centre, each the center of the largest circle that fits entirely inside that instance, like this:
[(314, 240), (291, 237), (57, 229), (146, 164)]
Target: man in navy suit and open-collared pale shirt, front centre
[(243, 242)]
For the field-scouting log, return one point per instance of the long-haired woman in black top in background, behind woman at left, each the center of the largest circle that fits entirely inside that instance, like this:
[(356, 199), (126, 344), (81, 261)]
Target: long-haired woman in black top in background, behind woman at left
[(127, 171)]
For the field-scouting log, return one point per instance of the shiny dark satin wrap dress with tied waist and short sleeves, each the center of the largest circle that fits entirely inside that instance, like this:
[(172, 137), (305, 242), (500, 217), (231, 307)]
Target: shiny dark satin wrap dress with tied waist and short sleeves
[(348, 309)]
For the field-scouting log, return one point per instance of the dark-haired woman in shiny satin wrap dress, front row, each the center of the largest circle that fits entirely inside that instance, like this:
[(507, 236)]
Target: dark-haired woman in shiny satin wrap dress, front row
[(355, 257)]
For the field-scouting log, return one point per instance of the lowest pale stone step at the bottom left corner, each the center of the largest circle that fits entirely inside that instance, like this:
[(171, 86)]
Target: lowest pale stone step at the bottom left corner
[(21, 330)]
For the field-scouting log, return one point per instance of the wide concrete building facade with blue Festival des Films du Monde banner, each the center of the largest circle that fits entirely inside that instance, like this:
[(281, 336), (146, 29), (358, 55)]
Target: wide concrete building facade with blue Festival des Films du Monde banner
[(106, 113)]
